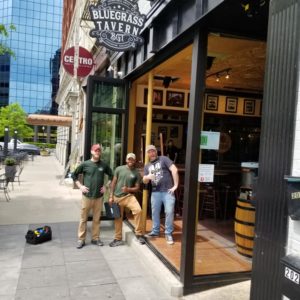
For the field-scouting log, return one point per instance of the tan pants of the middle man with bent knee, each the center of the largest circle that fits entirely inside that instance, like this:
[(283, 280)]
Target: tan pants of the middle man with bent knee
[(130, 202)]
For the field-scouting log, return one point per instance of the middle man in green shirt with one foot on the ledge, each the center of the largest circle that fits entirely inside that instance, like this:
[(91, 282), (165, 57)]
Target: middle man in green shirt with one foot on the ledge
[(125, 183)]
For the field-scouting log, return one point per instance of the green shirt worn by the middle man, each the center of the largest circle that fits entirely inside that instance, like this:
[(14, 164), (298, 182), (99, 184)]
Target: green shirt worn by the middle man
[(125, 177)]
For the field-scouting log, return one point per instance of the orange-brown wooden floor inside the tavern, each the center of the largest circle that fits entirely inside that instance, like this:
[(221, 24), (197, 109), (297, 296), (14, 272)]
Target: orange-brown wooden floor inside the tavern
[(215, 247)]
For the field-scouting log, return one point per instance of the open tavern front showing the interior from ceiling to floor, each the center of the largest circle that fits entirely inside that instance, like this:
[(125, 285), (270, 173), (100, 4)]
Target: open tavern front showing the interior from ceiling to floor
[(233, 101)]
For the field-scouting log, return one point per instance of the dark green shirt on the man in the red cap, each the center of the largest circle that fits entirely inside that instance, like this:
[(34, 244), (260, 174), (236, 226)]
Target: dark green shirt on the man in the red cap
[(93, 176)]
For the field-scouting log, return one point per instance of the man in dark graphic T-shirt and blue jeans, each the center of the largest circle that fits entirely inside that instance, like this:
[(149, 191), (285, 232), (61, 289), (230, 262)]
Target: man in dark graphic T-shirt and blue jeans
[(163, 175)]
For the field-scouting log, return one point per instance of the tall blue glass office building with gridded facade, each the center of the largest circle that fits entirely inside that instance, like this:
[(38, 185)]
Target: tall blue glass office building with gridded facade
[(27, 79)]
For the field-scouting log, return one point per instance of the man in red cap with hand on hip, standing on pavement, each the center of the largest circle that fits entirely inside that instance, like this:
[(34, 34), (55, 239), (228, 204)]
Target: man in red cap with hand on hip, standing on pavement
[(92, 189)]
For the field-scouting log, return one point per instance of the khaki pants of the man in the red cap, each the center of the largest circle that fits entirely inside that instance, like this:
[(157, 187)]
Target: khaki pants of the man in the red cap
[(86, 205)]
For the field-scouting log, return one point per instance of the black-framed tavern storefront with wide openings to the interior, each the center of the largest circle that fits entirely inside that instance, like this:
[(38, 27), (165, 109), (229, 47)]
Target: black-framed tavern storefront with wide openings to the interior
[(190, 49)]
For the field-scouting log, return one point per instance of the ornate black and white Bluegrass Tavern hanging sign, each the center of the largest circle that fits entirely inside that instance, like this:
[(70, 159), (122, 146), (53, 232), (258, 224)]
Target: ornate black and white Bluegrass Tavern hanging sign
[(117, 24)]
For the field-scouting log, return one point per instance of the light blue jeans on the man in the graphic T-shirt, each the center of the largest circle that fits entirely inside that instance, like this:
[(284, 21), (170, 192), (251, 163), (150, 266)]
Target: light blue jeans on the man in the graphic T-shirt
[(157, 199)]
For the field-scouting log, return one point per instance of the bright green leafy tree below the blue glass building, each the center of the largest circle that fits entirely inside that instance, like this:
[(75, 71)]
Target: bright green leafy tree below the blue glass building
[(14, 117)]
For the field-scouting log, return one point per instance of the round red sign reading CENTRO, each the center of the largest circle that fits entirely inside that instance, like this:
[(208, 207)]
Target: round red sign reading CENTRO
[(85, 61)]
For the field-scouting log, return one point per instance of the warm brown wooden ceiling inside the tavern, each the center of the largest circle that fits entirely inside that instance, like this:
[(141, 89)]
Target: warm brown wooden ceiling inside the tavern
[(244, 58)]
